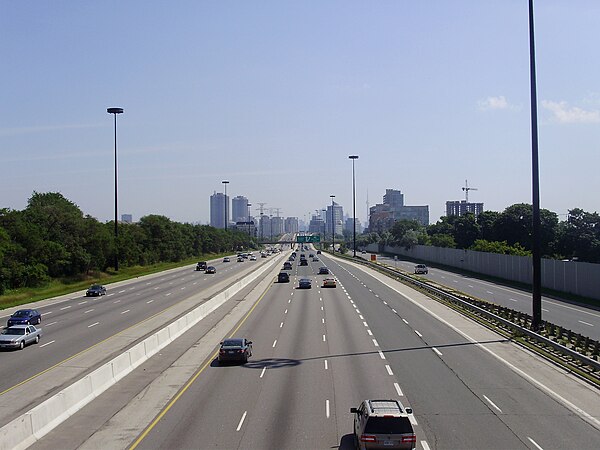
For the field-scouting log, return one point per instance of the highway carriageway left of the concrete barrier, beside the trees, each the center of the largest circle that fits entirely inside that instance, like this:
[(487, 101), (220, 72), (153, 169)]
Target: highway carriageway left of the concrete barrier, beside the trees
[(76, 325)]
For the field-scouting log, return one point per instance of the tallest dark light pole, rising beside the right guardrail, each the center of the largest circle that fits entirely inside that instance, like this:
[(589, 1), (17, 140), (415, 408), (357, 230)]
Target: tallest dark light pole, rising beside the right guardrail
[(536, 254)]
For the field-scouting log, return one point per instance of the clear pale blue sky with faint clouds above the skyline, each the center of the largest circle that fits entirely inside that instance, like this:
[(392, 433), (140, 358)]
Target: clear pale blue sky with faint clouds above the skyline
[(274, 95)]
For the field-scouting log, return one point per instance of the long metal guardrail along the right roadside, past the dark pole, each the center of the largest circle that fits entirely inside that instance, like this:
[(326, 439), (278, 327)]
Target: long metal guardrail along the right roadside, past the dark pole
[(540, 341)]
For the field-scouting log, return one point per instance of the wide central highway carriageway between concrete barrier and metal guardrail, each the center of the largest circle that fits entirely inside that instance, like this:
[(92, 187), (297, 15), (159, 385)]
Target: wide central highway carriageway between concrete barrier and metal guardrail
[(319, 352)]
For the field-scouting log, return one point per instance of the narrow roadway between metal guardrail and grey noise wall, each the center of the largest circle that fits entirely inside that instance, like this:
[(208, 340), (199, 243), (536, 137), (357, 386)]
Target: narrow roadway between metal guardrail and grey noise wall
[(579, 319)]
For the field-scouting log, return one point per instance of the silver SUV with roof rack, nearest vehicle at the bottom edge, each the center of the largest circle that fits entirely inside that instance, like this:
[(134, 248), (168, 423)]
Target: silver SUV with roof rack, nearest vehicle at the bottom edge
[(382, 424)]
